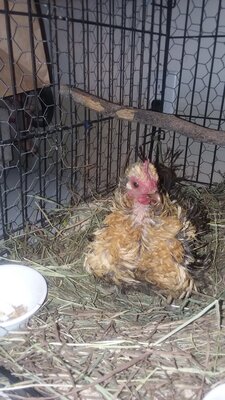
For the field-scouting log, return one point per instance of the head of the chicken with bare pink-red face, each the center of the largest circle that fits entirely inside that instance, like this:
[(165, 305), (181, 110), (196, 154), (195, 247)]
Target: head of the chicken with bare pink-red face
[(142, 184)]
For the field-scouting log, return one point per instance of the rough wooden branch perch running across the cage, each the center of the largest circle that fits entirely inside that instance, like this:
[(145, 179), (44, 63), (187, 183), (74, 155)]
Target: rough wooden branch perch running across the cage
[(168, 122)]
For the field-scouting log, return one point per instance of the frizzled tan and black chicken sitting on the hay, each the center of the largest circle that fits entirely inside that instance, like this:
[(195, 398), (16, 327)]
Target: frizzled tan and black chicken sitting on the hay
[(146, 238)]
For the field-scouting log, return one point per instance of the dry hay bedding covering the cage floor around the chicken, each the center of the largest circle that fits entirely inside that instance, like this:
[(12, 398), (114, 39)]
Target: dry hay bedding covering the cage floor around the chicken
[(90, 341)]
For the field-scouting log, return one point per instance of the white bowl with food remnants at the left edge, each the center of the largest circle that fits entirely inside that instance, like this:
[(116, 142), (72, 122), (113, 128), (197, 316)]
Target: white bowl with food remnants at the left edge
[(20, 286)]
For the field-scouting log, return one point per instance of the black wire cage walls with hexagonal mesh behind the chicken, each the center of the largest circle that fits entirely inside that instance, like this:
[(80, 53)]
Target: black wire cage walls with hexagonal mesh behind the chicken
[(160, 54)]
